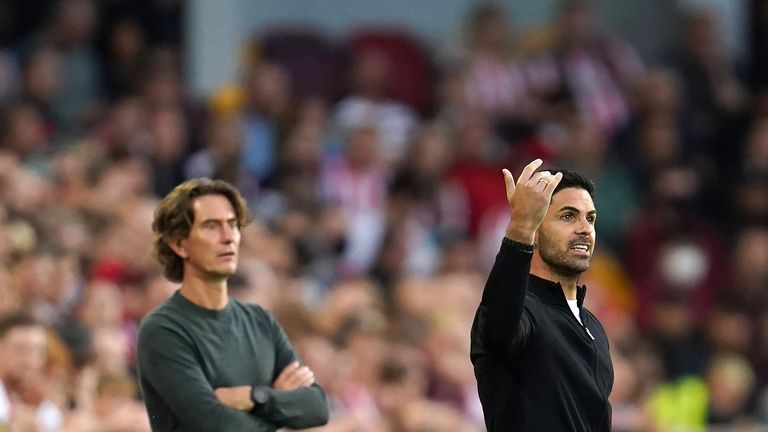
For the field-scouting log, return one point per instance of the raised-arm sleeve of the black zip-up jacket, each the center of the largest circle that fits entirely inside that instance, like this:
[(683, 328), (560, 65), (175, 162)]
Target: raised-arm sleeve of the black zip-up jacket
[(502, 323)]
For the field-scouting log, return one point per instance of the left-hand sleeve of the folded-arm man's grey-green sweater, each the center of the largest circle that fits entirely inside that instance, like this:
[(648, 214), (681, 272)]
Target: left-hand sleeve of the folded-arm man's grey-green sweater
[(167, 361)]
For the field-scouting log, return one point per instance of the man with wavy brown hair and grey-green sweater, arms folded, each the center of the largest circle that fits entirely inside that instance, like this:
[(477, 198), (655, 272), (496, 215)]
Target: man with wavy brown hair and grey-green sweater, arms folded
[(208, 362)]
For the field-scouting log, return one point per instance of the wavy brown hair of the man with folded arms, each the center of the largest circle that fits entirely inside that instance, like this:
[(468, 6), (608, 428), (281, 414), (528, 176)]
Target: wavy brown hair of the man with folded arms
[(174, 217)]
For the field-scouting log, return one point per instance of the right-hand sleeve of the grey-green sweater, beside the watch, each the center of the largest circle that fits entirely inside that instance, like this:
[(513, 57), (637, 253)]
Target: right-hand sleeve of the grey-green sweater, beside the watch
[(296, 409)]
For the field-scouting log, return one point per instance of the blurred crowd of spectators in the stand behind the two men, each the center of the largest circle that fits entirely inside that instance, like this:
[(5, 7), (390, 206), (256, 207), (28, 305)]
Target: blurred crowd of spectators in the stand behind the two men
[(368, 138)]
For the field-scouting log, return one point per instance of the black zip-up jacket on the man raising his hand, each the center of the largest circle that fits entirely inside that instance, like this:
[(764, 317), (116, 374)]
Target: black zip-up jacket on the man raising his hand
[(537, 368)]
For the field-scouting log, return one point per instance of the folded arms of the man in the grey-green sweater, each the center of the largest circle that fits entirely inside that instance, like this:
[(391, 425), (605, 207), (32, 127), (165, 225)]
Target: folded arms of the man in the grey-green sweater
[(169, 363)]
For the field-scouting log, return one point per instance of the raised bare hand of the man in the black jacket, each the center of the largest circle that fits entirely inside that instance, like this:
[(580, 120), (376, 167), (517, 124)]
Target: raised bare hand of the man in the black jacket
[(528, 200)]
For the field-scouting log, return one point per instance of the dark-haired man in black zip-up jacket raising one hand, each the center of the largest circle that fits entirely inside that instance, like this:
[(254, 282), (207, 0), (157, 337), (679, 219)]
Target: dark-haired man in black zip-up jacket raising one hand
[(541, 359)]
